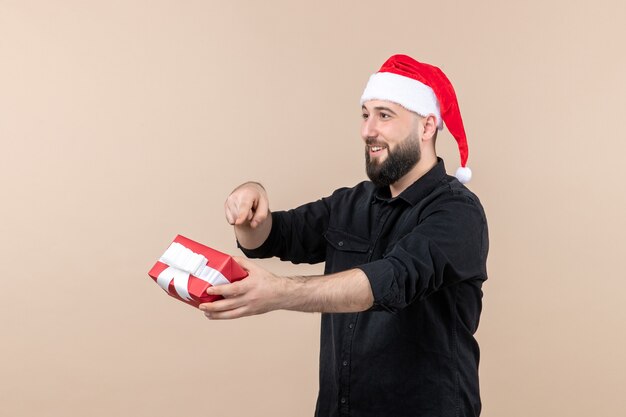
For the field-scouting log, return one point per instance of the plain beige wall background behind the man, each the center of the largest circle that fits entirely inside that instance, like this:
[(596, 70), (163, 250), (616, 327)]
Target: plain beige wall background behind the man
[(123, 123)]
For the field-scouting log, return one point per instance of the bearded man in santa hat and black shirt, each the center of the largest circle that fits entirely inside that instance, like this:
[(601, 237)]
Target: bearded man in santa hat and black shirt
[(405, 260)]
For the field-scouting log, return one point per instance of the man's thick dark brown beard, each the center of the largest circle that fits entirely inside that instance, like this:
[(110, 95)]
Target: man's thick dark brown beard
[(397, 164)]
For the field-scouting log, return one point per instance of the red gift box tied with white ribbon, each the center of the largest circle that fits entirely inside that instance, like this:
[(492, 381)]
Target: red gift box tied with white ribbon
[(188, 268)]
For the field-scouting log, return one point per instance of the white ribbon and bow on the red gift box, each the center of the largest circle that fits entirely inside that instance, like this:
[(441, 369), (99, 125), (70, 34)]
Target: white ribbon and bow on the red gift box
[(183, 262)]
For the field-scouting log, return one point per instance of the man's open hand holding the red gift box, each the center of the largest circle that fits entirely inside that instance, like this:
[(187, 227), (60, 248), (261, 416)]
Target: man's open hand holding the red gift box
[(260, 292)]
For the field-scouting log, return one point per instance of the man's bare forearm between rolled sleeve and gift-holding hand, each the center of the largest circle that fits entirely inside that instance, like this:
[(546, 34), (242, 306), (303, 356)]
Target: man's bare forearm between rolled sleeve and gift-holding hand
[(342, 292)]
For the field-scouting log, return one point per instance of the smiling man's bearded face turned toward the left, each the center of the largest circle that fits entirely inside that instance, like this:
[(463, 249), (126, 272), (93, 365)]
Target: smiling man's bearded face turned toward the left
[(392, 141)]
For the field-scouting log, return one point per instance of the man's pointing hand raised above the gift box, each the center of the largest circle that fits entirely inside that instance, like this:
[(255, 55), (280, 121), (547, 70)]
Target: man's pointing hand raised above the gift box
[(247, 205)]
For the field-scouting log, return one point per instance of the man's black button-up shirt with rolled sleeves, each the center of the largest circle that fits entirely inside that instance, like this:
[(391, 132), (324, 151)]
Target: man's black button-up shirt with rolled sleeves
[(424, 252)]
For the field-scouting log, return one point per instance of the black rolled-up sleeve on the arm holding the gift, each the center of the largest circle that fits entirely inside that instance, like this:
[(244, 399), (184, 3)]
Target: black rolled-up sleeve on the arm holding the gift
[(448, 246)]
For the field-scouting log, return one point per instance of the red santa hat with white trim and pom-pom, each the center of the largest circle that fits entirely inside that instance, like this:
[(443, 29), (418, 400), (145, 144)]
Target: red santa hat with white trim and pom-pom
[(425, 90)]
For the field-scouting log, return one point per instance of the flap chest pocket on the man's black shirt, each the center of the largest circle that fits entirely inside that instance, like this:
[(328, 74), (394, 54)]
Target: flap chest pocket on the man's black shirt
[(345, 250)]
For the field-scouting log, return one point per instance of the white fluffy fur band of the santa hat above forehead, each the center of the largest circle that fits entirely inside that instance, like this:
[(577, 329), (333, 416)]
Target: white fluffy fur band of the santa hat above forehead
[(407, 92)]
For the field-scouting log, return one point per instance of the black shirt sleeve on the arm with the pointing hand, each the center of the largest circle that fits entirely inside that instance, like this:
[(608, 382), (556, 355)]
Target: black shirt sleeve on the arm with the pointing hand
[(297, 235)]
